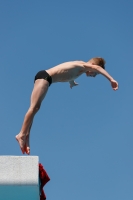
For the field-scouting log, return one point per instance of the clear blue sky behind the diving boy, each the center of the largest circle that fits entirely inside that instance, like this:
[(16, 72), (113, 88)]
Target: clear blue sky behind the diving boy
[(83, 136)]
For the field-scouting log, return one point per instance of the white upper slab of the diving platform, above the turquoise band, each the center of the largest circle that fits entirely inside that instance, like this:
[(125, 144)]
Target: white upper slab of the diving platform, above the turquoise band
[(19, 170)]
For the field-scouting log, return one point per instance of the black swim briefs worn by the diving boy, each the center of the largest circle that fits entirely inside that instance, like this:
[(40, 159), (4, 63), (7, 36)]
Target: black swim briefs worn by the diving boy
[(43, 75)]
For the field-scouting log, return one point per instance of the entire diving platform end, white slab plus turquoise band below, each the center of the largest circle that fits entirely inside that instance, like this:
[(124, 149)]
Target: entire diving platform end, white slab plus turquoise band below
[(19, 177)]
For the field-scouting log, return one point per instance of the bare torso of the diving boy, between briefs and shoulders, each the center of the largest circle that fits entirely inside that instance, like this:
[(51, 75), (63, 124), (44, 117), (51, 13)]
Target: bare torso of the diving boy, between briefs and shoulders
[(66, 71)]
